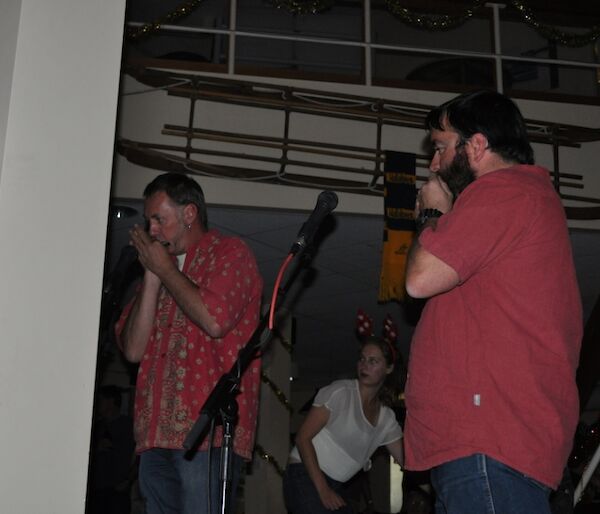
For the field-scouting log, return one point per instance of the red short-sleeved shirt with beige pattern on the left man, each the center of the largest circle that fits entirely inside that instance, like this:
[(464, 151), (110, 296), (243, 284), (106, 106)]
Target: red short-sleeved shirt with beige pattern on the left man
[(182, 363)]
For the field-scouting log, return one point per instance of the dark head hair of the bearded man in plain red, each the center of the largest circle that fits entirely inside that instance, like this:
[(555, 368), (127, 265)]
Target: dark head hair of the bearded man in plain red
[(489, 113)]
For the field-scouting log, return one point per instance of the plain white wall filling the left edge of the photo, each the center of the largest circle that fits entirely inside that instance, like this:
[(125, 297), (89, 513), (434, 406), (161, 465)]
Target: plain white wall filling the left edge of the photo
[(59, 75)]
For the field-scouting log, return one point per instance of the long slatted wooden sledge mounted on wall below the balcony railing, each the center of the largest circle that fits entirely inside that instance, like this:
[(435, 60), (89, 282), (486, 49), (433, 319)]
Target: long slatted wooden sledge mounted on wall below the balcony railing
[(301, 154)]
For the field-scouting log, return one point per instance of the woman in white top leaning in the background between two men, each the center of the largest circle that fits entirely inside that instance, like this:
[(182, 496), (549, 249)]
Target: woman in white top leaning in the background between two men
[(348, 421)]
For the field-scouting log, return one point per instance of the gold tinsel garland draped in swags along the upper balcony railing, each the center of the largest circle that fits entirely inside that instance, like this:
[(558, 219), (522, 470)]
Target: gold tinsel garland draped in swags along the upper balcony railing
[(431, 22)]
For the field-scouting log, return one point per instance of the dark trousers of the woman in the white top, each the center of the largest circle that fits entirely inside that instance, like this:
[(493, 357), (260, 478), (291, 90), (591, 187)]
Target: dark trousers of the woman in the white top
[(301, 496)]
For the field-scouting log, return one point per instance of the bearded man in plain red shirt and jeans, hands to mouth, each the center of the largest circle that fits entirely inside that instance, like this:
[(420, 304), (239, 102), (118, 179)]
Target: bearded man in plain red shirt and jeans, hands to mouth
[(491, 399)]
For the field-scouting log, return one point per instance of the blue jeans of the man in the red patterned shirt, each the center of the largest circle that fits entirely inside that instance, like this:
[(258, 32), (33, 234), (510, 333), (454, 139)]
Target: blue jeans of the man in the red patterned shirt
[(172, 484)]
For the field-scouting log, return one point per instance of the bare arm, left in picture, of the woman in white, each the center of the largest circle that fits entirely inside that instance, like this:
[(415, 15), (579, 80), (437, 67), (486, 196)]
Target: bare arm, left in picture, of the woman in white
[(315, 420)]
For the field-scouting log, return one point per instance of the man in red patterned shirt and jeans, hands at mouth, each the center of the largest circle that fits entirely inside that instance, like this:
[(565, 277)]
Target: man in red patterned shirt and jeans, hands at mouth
[(198, 304)]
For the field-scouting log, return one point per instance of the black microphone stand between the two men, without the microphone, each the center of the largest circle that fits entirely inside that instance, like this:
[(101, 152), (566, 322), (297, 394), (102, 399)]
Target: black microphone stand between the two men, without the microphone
[(222, 401)]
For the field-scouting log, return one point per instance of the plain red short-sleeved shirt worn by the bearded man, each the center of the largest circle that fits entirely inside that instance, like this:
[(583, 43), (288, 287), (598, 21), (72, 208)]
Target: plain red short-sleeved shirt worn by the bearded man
[(492, 363)]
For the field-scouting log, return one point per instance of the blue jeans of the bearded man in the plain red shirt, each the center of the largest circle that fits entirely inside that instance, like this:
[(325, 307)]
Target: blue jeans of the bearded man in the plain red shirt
[(481, 485)]
